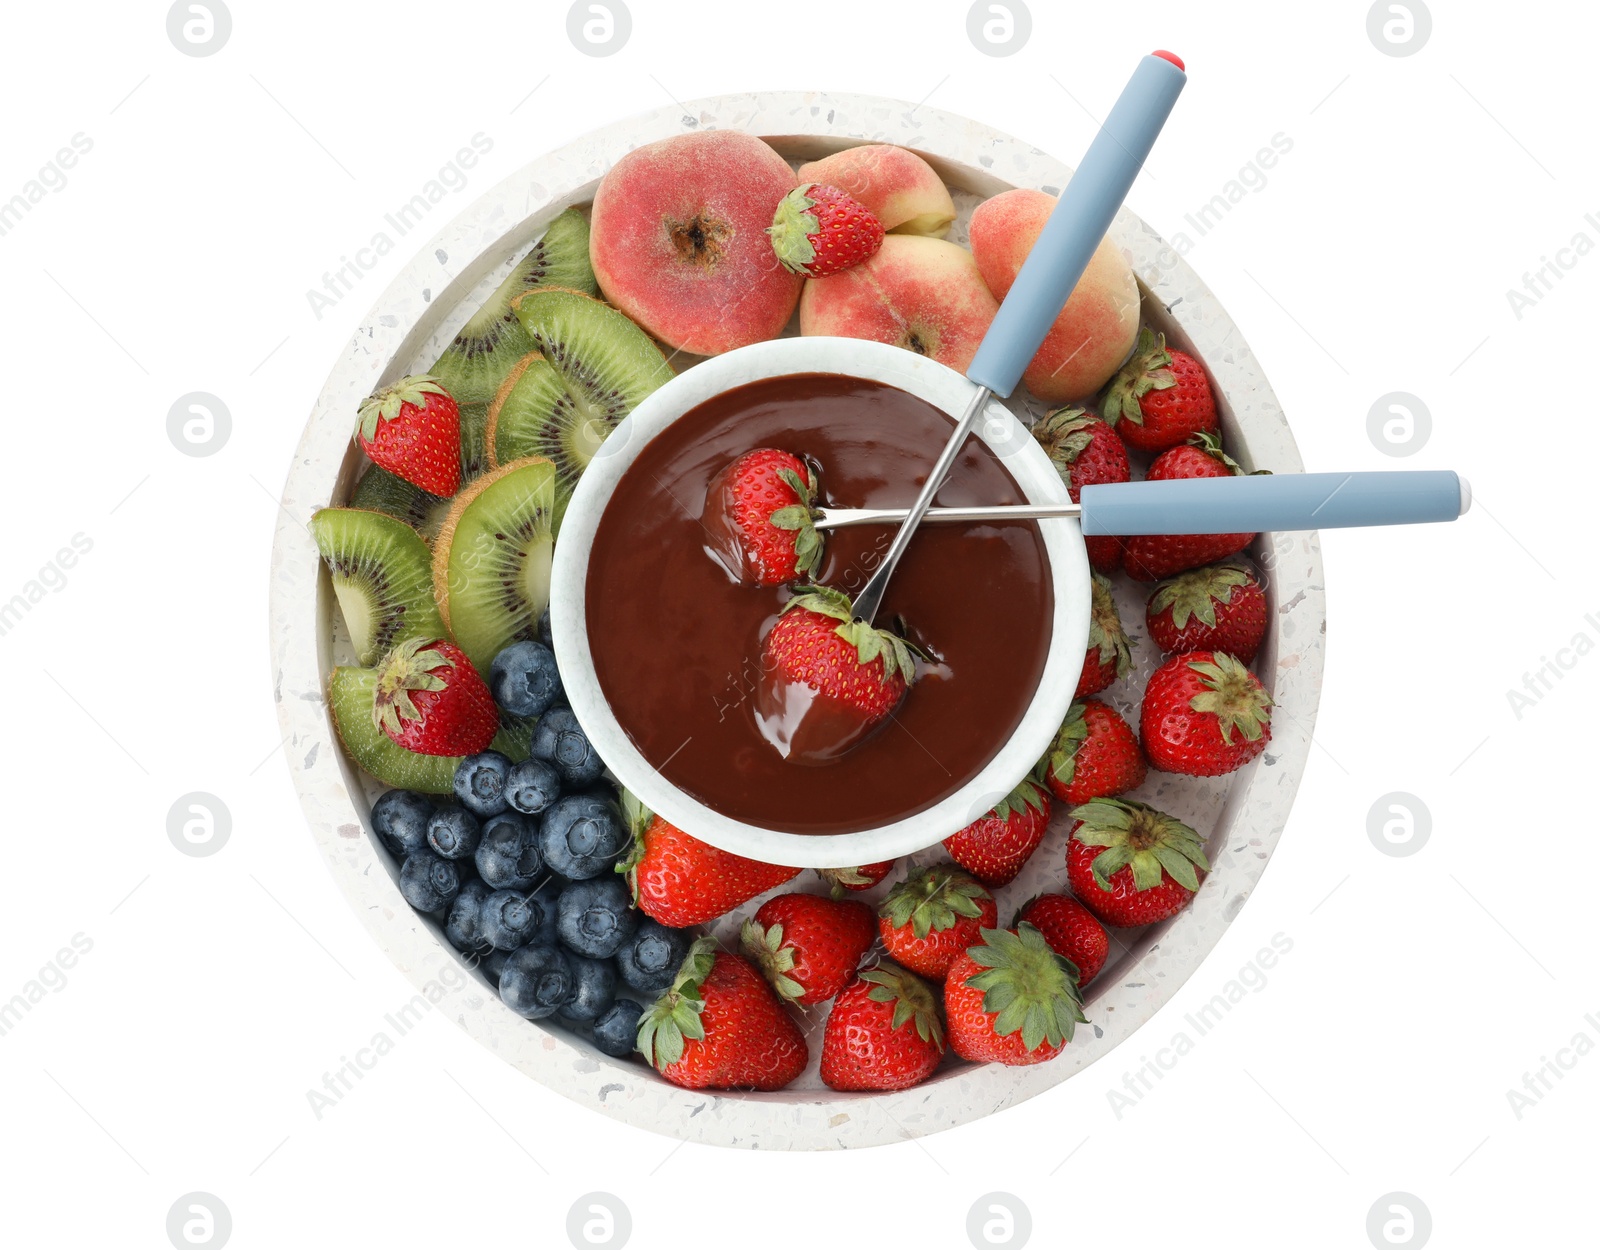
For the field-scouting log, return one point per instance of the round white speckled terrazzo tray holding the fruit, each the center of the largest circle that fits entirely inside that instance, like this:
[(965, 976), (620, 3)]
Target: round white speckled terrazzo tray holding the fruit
[(1241, 817)]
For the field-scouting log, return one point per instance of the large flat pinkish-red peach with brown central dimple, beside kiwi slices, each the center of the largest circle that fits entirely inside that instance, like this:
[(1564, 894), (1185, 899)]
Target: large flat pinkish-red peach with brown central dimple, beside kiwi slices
[(678, 238)]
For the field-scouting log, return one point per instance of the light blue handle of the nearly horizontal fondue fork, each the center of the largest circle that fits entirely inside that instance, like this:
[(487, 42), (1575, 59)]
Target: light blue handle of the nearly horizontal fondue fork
[(1289, 502)]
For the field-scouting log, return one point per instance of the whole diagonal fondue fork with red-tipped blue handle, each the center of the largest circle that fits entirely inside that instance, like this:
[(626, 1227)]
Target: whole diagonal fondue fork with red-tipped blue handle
[(1052, 270)]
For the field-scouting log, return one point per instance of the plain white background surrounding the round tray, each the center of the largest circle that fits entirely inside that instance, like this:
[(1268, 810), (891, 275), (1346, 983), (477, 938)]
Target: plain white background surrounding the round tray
[(220, 990)]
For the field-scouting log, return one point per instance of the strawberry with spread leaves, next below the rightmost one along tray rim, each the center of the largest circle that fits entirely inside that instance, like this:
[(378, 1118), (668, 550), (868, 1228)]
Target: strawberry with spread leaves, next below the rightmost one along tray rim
[(1132, 865)]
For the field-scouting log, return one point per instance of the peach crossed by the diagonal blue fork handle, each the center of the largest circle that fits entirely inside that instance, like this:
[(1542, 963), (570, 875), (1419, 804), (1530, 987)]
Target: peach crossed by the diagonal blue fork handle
[(1100, 324)]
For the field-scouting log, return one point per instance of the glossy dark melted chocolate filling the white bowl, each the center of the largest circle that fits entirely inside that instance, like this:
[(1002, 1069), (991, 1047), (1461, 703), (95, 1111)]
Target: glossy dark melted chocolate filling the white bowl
[(676, 638)]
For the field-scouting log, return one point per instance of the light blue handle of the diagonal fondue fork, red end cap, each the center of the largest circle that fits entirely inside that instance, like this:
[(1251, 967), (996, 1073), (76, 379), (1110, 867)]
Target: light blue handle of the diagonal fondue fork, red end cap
[(1078, 225)]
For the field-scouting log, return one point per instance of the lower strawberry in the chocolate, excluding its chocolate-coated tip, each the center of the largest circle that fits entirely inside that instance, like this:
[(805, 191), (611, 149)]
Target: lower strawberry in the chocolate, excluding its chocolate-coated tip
[(818, 644)]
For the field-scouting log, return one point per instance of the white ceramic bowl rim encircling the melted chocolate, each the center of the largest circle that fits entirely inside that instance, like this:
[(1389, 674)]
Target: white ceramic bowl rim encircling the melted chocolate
[(943, 388)]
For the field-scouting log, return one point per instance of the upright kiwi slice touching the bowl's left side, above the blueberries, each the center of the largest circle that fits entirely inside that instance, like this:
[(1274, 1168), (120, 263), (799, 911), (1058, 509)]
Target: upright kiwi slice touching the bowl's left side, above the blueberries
[(492, 561)]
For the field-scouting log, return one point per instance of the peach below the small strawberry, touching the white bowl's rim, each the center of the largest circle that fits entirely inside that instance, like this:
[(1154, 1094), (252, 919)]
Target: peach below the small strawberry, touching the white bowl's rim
[(919, 294)]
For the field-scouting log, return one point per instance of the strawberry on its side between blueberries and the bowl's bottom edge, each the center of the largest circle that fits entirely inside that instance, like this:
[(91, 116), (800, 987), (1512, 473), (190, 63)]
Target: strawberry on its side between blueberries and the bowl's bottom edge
[(681, 881)]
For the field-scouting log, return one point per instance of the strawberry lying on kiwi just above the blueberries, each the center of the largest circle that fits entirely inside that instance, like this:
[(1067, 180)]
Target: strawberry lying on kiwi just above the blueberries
[(431, 700)]
